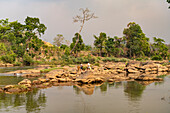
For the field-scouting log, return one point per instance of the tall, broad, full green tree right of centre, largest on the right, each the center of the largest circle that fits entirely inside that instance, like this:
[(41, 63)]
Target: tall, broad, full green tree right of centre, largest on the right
[(136, 41)]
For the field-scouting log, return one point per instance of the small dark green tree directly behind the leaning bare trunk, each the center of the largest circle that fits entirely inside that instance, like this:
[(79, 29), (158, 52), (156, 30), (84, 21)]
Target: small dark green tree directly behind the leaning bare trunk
[(80, 45)]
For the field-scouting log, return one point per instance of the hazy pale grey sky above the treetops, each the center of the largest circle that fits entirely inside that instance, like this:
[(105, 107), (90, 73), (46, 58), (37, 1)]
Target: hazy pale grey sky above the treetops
[(113, 16)]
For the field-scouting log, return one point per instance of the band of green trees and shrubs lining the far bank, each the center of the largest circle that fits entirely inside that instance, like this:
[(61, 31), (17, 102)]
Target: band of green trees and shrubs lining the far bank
[(20, 45)]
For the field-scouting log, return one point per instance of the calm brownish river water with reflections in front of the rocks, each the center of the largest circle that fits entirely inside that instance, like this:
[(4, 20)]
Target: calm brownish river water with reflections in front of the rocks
[(121, 97)]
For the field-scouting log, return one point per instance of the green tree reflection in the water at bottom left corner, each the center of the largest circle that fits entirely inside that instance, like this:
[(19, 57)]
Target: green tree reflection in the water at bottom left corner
[(33, 101)]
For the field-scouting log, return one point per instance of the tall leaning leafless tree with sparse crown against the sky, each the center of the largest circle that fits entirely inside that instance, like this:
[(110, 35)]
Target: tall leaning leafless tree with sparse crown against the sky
[(86, 15)]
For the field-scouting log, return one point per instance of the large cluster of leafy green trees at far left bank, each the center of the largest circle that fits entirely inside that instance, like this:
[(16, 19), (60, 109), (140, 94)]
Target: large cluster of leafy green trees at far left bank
[(17, 37)]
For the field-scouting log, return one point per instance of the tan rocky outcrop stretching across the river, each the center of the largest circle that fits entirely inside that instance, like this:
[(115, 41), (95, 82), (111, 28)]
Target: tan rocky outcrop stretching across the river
[(106, 72)]
